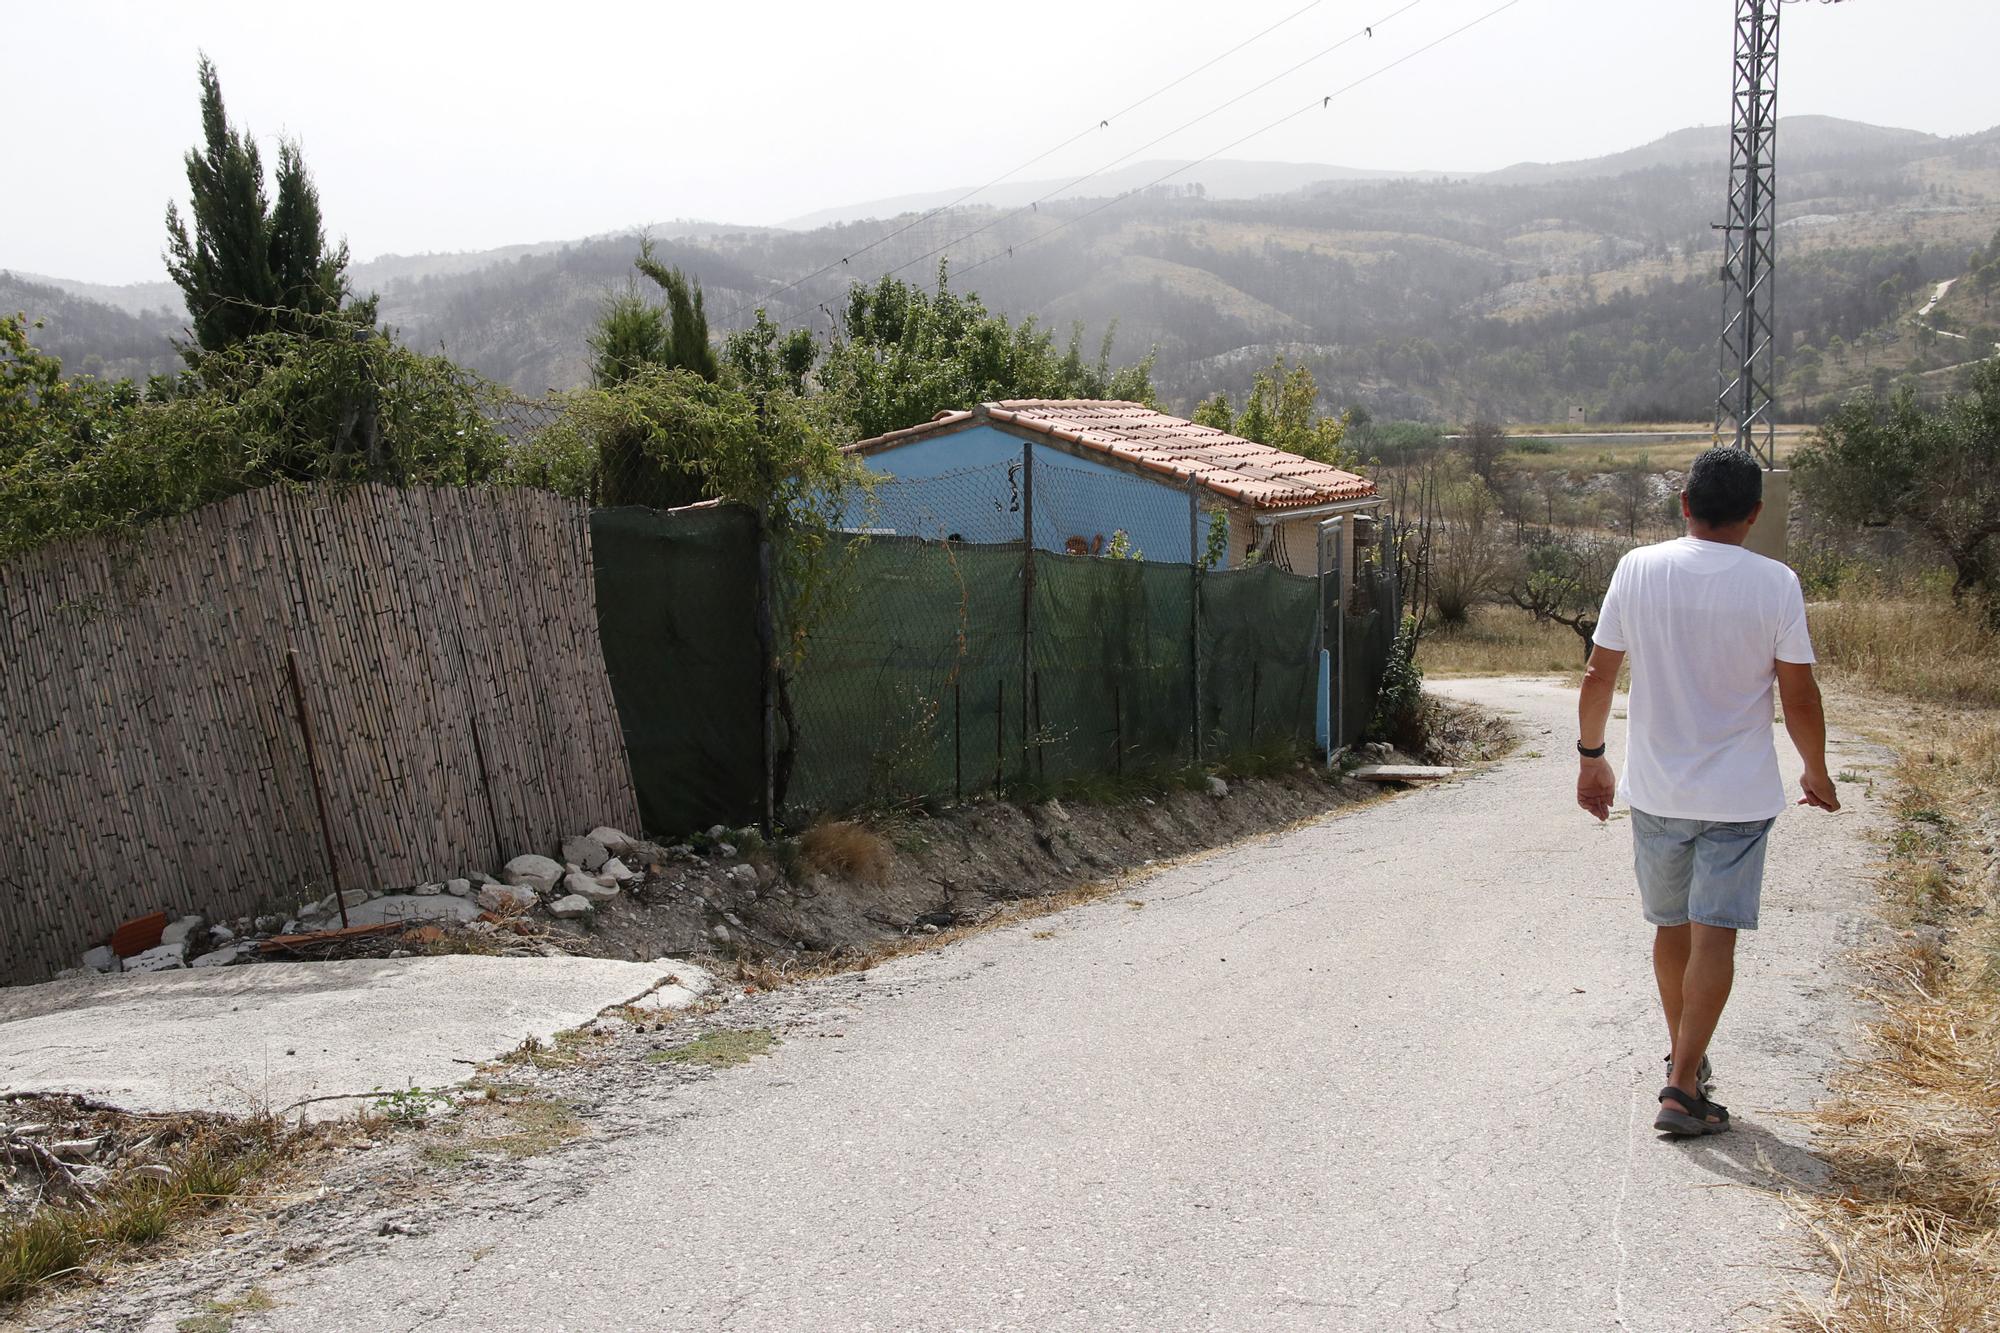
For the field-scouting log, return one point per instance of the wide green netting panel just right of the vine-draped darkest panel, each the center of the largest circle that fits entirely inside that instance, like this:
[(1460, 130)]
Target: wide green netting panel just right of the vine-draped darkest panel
[(911, 688)]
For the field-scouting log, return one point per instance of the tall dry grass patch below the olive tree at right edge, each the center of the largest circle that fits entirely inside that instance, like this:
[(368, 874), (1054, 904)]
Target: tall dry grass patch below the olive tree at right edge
[(1917, 647)]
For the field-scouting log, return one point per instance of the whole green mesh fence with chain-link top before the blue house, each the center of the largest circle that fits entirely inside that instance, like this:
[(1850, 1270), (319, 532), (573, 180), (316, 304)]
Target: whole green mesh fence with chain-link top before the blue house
[(941, 670)]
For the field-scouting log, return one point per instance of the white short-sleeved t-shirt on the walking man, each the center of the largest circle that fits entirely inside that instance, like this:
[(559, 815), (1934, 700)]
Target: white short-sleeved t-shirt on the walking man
[(1703, 625)]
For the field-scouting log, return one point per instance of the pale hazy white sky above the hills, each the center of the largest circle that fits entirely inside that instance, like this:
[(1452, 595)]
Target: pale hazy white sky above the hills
[(459, 127)]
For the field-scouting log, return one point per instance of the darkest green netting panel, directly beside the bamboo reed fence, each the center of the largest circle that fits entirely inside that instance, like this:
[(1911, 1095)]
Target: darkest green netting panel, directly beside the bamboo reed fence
[(677, 611)]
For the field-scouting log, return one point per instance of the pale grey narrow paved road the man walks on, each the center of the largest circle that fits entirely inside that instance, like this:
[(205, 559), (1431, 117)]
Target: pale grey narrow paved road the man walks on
[(1387, 1072)]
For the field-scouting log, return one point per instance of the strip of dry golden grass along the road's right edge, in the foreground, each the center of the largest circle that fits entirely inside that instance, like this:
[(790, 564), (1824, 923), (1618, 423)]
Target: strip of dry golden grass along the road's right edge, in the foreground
[(1911, 1222)]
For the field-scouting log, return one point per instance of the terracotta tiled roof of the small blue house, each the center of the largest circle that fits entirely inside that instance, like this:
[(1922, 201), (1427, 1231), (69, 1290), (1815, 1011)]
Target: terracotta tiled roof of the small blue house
[(1251, 473)]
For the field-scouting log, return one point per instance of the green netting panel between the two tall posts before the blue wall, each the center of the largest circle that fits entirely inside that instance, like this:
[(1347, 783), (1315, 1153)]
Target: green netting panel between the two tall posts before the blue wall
[(1111, 684)]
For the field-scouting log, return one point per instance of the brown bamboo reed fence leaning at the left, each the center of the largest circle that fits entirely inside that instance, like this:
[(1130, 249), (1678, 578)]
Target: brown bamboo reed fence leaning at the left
[(151, 756)]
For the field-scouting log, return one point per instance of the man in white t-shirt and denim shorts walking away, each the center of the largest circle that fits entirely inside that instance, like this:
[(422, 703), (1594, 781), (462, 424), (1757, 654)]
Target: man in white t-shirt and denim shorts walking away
[(1707, 627)]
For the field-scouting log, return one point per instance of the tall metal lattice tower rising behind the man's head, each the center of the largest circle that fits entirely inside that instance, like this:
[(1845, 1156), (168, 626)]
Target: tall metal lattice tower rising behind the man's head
[(1747, 405)]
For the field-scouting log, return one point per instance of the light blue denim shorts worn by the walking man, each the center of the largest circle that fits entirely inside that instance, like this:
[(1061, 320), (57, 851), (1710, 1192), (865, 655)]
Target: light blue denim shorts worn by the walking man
[(1699, 870)]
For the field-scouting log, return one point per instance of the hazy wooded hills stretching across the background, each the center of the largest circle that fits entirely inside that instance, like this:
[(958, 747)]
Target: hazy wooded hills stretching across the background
[(1519, 293)]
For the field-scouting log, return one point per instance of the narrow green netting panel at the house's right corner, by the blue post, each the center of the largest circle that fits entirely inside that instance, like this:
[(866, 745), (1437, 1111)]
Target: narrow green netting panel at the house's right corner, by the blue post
[(1259, 657)]
